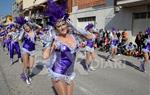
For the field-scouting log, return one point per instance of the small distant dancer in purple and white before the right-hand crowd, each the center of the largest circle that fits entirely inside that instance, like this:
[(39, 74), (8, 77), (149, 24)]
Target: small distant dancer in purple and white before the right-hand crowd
[(114, 45)]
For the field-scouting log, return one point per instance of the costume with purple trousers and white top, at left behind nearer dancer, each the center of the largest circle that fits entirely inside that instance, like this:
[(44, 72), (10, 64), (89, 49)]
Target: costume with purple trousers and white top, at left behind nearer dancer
[(14, 45)]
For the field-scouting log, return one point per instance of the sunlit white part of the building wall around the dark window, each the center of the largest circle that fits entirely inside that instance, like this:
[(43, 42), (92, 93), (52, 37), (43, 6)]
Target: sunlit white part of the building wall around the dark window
[(101, 13)]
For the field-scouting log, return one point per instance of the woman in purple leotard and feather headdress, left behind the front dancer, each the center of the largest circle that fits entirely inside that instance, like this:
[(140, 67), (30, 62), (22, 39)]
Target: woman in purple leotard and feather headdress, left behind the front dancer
[(28, 37)]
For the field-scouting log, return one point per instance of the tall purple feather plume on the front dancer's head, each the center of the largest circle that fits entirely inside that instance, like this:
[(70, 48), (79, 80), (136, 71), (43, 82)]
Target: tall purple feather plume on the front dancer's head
[(56, 11)]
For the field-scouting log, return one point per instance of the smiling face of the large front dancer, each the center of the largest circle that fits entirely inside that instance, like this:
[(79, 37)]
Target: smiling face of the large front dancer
[(62, 27)]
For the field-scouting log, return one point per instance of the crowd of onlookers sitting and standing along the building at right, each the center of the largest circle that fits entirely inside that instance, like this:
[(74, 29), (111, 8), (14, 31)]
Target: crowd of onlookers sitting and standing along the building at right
[(125, 47)]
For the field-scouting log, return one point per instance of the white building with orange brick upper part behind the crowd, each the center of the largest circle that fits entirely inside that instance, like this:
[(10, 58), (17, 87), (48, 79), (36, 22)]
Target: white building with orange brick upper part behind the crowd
[(132, 15)]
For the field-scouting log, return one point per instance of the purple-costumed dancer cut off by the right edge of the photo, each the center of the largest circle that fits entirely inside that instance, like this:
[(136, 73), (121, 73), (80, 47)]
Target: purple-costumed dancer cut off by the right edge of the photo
[(146, 52)]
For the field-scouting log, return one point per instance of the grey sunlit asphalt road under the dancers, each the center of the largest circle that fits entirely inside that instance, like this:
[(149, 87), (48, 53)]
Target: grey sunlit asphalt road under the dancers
[(111, 78)]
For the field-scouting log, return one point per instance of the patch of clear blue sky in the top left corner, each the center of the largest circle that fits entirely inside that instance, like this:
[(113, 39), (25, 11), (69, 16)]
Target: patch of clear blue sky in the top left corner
[(5, 7)]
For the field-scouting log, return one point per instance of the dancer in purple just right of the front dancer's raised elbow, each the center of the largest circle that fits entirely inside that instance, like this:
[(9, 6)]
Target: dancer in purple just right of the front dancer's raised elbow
[(90, 44)]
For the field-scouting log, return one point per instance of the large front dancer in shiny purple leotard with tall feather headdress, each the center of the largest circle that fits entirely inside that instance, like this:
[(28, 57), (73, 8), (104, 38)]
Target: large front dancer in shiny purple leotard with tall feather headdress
[(62, 51)]
